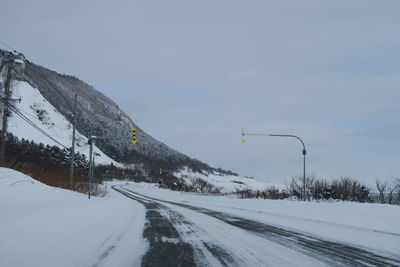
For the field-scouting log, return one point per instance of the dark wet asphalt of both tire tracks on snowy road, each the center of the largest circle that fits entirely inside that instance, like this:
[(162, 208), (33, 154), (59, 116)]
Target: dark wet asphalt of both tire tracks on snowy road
[(176, 252)]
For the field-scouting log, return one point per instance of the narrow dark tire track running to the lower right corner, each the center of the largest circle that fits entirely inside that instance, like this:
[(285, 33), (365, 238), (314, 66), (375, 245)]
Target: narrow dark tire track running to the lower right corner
[(331, 253)]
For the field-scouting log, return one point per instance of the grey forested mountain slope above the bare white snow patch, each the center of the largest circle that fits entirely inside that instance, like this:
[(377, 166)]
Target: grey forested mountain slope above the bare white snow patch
[(101, 116)]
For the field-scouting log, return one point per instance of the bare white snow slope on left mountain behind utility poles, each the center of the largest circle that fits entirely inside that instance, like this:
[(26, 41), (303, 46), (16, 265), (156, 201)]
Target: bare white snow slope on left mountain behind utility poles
[(43, 114)]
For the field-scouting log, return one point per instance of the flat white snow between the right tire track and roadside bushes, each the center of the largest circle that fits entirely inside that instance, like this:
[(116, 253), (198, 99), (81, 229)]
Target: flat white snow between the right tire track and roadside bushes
[(370, 226)]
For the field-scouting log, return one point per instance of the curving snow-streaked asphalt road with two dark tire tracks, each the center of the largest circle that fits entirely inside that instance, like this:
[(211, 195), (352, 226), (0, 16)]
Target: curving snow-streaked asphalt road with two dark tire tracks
[(189, 235)]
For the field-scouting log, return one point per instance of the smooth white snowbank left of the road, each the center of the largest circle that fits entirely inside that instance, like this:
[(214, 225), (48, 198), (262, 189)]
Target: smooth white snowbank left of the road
[(45, 226)]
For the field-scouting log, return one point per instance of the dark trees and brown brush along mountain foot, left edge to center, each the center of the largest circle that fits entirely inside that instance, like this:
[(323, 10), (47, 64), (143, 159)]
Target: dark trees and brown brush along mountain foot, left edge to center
[(51, 165)]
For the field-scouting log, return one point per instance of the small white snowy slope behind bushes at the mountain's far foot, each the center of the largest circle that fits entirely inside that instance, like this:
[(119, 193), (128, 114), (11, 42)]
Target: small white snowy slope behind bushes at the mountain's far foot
[(227, 183)]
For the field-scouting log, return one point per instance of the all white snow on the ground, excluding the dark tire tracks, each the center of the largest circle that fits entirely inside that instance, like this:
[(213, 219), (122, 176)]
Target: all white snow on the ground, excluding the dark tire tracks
[(46, 226)]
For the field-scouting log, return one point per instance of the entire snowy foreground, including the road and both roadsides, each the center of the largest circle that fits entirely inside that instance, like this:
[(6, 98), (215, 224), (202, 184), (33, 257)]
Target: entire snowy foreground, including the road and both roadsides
[(45, 226)]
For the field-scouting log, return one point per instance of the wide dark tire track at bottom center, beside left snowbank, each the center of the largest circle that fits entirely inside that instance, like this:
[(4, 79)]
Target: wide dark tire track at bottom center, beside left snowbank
[(167, 247)]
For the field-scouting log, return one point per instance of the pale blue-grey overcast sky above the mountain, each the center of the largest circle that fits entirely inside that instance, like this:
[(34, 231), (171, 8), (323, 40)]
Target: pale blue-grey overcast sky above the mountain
[(193, 73)]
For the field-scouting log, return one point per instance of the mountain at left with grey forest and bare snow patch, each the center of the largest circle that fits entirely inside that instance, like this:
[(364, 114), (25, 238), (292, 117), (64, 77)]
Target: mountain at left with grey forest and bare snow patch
[(50, 95)]
